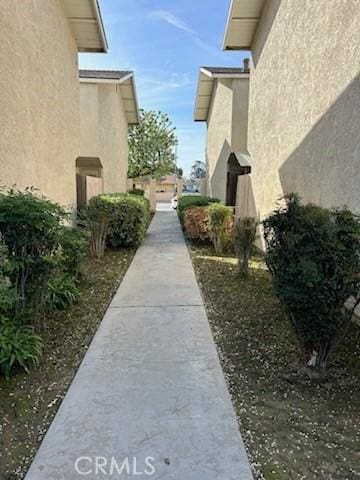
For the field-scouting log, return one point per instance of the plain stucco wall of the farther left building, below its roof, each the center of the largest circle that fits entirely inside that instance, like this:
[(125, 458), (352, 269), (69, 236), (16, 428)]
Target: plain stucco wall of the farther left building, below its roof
[(104, 132)]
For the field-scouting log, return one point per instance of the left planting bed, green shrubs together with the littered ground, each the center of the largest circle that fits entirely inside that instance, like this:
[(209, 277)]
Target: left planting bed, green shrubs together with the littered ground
[(53, 295)]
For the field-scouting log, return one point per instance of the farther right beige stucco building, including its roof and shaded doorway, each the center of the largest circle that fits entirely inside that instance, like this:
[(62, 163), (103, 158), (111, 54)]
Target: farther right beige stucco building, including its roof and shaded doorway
[(222, 102)]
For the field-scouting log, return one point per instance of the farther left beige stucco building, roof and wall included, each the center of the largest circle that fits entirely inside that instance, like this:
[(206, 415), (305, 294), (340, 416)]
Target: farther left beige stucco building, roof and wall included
[(108, 105)]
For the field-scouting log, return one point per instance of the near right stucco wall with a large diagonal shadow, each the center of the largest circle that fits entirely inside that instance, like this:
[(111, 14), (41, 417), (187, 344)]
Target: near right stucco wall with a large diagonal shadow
[(304, 122)]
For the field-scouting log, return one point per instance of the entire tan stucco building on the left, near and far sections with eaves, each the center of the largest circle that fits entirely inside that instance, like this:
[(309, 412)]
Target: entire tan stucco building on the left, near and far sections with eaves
[(59, 126)]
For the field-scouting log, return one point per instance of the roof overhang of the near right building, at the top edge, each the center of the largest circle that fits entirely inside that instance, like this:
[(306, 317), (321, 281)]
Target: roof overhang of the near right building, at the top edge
[(242, 22)]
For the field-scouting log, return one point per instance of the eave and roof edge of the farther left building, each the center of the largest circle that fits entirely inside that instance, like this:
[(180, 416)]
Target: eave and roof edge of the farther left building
[(126, 80)]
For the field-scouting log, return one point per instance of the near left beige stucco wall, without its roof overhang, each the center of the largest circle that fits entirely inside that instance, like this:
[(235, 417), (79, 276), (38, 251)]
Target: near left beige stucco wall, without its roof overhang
[(39, 98)]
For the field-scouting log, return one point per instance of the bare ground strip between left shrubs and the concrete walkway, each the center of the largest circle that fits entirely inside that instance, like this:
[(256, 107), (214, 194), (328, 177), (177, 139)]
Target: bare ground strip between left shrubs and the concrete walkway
[(28, 403)]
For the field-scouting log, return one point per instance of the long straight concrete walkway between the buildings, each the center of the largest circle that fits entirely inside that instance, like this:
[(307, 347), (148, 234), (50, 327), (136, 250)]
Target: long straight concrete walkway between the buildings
[(149, 399)]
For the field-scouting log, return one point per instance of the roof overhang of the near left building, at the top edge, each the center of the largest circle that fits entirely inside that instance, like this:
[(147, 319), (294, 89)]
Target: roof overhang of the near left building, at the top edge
[(87, 25)]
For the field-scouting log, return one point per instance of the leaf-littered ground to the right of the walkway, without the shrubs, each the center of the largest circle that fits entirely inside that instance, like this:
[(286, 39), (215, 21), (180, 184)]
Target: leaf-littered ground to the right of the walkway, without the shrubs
[(296, 424)]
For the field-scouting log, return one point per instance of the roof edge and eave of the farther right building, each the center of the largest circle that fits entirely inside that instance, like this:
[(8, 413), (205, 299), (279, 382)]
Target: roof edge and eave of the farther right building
[(205, 88)]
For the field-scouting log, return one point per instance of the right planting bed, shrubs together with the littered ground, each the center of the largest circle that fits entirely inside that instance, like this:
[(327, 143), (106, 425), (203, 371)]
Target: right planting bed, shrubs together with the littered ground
[(289, 348)]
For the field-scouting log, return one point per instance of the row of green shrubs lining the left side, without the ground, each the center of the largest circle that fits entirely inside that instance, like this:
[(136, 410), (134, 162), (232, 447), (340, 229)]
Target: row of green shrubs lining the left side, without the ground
[(42, 260)]
